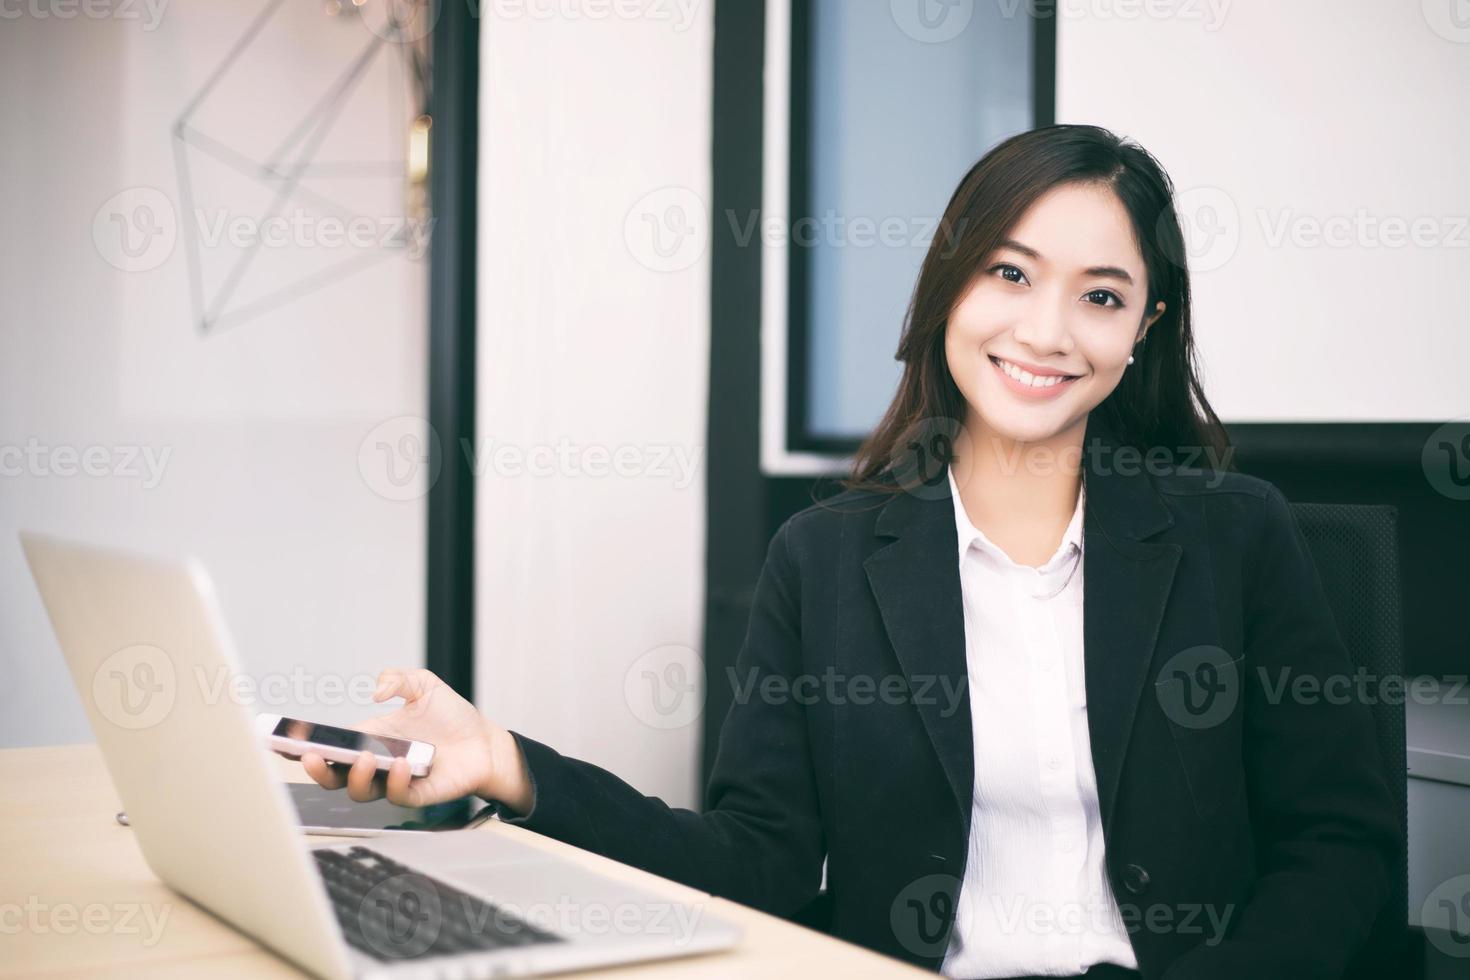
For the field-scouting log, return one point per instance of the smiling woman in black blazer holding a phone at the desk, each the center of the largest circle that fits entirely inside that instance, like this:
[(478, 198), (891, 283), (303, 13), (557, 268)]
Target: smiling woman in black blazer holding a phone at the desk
[(999, 785)]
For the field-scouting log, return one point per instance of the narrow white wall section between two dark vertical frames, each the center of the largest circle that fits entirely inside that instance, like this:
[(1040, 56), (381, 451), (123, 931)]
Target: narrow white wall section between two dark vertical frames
[(592, 337)]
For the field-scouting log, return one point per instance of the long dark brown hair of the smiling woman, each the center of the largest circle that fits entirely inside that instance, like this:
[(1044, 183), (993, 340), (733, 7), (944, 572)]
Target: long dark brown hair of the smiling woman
[(1158, 405)]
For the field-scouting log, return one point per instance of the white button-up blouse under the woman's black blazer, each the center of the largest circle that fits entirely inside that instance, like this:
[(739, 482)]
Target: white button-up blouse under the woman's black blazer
[(1036, 898)]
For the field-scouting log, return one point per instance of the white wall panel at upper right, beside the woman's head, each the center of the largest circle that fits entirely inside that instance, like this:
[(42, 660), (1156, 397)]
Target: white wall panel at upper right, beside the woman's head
[(1290, 127)]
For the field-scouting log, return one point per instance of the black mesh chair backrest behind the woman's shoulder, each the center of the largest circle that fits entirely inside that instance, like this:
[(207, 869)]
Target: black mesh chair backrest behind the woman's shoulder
[(1356, 550)]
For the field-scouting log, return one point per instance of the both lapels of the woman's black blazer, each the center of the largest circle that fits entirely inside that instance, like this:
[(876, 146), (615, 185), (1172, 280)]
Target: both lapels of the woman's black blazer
[(1127, 584)]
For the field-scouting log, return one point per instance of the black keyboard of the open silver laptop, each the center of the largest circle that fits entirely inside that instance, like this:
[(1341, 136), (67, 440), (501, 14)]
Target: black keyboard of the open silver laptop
[(392, 912)]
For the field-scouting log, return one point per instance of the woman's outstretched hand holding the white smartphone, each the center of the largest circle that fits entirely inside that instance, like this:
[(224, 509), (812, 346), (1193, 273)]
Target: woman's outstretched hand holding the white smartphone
[(473, 756)]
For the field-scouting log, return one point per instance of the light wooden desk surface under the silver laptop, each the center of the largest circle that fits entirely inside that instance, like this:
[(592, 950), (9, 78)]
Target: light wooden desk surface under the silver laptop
[(77, 898)]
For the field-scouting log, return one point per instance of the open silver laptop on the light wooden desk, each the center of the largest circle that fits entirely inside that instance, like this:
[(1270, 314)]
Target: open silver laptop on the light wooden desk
[(217, 825)]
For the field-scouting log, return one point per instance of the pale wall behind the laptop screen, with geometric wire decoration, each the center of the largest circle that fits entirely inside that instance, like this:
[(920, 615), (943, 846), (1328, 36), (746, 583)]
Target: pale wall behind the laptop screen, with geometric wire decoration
[(258, 425)]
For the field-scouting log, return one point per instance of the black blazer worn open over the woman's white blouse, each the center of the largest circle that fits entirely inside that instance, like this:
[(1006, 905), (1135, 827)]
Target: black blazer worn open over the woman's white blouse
[(1266, 819)]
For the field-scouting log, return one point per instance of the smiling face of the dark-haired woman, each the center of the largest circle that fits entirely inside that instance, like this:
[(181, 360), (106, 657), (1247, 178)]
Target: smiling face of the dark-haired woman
[(1044, 333)]
